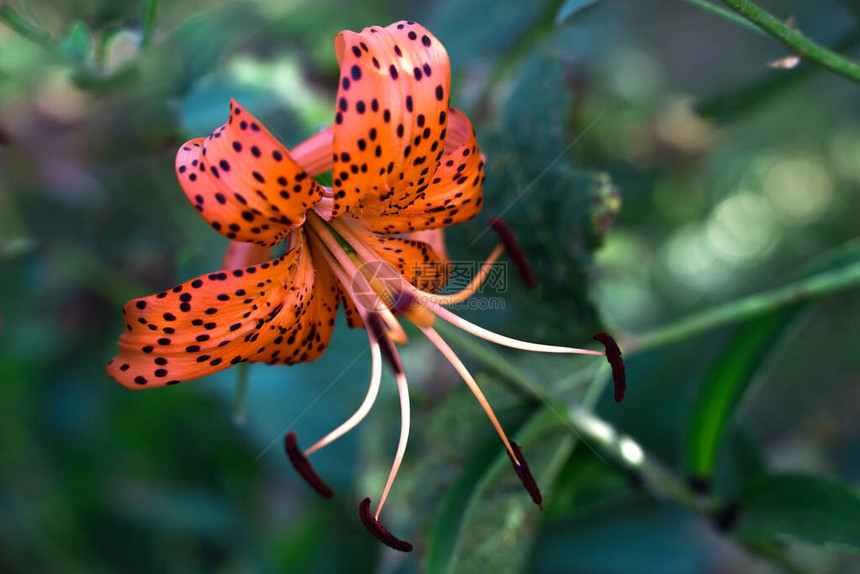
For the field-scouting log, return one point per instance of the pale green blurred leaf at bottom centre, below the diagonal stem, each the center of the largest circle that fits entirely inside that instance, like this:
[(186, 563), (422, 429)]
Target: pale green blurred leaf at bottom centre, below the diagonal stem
[(487, 521)]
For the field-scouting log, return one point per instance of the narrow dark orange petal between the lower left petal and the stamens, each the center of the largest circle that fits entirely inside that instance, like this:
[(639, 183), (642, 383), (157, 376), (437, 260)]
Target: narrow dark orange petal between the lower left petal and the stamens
[(307, 339)]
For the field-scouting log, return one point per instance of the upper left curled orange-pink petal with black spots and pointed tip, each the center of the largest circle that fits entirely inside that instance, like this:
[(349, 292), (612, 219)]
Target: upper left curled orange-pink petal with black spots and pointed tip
[(244, 182)]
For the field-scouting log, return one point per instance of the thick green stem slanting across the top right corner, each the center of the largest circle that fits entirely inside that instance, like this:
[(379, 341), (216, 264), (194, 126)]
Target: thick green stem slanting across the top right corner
[(794, 40)]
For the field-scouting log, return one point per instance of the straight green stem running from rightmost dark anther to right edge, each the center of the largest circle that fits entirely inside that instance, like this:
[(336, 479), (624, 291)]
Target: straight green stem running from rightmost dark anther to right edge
[(747, 308)]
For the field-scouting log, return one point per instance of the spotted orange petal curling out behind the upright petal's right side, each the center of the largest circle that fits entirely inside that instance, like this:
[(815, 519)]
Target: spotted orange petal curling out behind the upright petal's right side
[(454, 195)]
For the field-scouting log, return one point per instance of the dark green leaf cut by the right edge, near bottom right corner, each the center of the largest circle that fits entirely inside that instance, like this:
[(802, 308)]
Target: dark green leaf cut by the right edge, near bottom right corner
[(804, 508)]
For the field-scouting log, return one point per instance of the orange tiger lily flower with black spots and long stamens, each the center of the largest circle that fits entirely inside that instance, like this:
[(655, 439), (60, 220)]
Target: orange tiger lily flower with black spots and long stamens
[(404, 165)]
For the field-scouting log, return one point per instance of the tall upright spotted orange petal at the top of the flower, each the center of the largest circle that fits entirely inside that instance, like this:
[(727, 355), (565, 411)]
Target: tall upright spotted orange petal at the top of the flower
[(391, 113)]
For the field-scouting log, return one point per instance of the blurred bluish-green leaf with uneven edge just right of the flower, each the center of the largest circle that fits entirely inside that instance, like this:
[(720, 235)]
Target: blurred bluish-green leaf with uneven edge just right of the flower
[(559, 213)]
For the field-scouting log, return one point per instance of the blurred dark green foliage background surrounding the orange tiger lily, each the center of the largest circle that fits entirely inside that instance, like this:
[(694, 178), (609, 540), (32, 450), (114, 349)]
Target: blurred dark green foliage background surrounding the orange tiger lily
[(734, 178)]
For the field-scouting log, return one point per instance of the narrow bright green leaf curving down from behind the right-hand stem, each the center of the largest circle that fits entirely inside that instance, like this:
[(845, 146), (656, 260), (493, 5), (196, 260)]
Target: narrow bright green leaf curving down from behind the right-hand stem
[(734, 370)]
